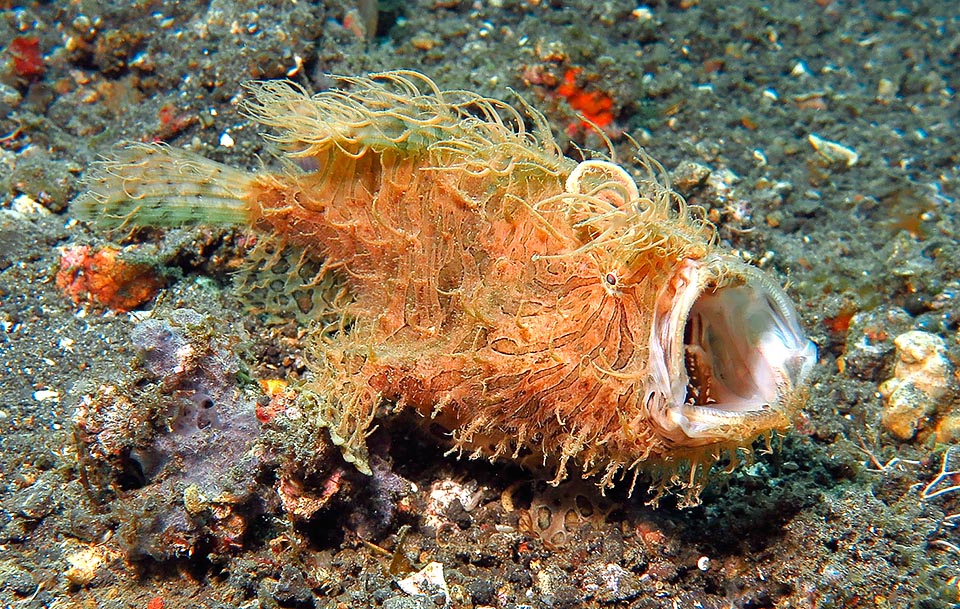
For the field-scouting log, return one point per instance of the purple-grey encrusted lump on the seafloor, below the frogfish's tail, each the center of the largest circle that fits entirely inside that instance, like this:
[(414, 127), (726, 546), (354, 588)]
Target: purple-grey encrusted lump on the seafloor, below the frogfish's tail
[(177, 440)]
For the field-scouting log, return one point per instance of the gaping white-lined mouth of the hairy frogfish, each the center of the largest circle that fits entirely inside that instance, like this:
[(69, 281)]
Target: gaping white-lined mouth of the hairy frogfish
[(728, 358)]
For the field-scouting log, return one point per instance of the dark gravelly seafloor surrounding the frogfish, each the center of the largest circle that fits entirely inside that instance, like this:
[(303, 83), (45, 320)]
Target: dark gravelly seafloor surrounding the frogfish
[(841, 515)]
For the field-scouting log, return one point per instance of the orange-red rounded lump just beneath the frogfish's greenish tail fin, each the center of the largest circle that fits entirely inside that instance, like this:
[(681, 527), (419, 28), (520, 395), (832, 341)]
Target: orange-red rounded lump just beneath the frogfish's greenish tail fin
[(102, 276)]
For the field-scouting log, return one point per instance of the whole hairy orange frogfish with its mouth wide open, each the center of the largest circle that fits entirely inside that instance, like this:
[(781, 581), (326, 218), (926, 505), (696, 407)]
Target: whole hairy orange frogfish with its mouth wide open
[(453, 261)]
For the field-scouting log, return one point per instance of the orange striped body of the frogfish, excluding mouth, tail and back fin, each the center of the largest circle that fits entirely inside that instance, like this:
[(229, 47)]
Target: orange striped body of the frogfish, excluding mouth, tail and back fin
[(469, 311)]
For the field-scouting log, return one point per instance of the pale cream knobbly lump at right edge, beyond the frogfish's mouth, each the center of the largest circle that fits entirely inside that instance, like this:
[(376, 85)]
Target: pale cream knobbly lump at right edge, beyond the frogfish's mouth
[(920, 389)]
